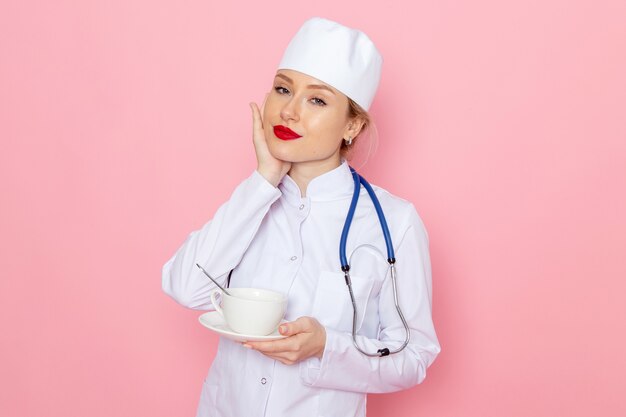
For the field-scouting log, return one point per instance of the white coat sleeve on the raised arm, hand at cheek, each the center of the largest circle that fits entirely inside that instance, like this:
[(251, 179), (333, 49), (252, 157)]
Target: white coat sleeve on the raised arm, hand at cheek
[(219, 245)]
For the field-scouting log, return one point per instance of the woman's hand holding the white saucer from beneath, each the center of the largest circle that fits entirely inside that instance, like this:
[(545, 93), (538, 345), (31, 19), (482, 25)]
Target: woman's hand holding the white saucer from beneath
[(306, 339)]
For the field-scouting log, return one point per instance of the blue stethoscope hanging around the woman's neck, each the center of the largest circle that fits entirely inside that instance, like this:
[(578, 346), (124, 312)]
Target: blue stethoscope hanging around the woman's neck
[(345, 265)]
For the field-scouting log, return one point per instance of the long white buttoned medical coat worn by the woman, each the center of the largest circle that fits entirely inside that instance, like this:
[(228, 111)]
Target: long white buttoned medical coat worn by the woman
[(276, 239)]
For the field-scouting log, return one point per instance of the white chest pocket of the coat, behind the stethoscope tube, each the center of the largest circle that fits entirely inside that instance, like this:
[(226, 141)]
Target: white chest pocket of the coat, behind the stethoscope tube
[(332, 305)]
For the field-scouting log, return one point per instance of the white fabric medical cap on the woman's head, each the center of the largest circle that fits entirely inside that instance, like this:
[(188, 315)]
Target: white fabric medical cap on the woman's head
[(342, 57)]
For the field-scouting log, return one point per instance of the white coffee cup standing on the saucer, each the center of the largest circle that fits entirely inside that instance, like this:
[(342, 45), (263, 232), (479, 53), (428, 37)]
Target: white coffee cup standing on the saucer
[(251, 311)]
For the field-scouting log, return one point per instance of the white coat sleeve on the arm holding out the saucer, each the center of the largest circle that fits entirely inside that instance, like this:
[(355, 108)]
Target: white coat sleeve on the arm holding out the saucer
[(343, 367)]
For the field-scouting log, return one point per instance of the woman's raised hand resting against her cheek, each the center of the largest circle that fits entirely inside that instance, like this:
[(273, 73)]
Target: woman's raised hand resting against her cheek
[(272, 169)]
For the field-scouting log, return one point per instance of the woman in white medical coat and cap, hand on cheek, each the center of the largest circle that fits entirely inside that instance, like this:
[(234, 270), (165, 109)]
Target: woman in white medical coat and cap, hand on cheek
[(281, 230)]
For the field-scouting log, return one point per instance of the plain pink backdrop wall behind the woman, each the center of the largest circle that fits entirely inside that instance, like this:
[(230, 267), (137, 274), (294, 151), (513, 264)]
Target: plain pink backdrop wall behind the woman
[(125, 124)]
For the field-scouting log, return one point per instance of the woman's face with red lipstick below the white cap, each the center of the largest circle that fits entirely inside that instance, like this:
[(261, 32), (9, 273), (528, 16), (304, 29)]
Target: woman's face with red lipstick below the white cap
[(314, 111)]
